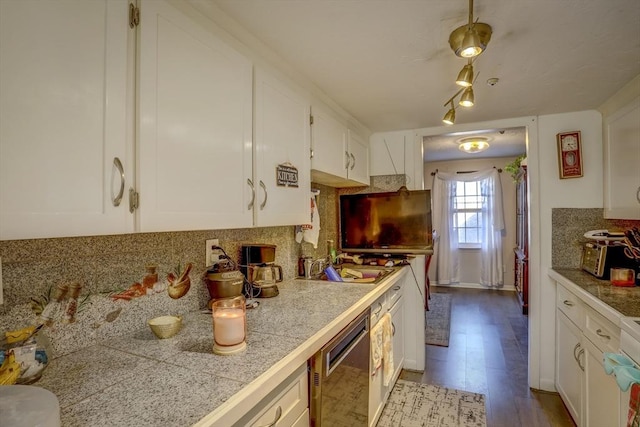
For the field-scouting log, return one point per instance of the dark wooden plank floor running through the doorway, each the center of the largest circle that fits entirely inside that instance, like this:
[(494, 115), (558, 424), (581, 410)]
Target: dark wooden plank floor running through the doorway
[(487, 354)]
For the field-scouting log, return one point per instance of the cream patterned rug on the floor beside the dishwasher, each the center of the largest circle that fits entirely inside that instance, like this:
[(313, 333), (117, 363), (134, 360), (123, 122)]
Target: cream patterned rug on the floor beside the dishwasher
[(423, 405)]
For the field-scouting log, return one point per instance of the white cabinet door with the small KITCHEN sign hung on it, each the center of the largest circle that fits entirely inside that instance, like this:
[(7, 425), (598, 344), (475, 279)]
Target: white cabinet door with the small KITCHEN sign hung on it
[(281, 138)]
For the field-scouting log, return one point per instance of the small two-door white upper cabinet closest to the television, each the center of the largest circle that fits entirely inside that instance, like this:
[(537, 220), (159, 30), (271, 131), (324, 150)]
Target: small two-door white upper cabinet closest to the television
[(333, 161)]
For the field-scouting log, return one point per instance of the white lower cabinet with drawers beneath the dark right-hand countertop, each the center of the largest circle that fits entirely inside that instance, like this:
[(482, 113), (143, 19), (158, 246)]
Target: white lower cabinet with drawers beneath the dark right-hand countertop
[(582, 335)]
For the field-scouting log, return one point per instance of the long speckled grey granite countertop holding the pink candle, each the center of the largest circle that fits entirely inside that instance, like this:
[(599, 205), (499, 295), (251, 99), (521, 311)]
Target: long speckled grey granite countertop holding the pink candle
[(140, 380)]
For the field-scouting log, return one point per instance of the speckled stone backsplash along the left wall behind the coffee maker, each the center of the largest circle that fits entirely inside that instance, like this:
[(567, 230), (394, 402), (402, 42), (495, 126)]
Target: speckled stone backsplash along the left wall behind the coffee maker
[(103, 265)]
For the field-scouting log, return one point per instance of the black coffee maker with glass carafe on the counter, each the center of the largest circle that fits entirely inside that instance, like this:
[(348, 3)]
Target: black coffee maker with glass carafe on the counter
[(257, 265)]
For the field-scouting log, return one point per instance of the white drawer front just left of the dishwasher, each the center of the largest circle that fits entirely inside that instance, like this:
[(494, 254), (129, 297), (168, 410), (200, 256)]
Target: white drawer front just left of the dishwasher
[(288, 406)]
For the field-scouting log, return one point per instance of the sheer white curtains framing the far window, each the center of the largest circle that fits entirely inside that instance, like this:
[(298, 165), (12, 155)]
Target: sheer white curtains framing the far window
[(446, 242)]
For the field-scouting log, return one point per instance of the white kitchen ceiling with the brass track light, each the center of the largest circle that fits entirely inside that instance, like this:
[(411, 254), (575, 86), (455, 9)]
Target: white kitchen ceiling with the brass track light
[(388, 62)]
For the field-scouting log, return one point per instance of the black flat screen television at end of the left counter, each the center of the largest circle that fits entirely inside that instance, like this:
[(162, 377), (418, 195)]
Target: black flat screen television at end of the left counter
[(394, 222)]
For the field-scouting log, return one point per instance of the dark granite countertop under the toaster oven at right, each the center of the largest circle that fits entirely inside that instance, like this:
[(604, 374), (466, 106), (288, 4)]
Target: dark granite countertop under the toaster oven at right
[(625, 300)]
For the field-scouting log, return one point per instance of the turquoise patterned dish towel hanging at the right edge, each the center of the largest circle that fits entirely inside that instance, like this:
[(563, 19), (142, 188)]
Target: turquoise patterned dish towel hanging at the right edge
[(628, 377)]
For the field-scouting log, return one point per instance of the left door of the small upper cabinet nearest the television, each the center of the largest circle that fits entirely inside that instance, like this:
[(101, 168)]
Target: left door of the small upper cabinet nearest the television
[(329, 144)]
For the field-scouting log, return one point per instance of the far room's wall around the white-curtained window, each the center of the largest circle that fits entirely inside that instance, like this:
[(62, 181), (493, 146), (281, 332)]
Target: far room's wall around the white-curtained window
[(470, 258)]
